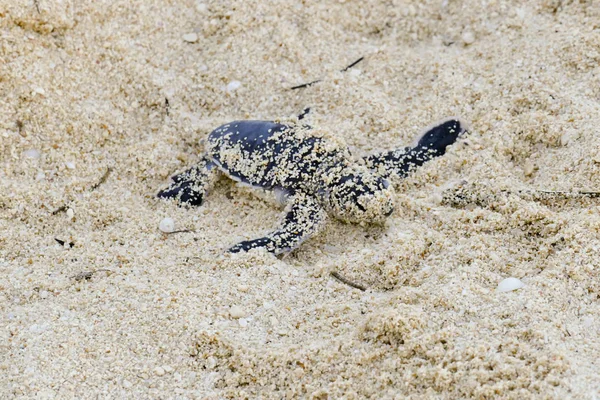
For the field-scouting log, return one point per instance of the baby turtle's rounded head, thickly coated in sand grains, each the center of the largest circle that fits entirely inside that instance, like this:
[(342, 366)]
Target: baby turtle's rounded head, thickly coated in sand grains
[(354, 194)]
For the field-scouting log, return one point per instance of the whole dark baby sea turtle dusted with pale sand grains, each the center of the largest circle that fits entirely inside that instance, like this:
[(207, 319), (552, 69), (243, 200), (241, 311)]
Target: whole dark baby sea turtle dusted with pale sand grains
[(315, 176)]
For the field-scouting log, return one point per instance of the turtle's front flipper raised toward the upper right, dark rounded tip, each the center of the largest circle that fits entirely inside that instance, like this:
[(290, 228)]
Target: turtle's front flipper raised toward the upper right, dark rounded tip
[(431, 144)]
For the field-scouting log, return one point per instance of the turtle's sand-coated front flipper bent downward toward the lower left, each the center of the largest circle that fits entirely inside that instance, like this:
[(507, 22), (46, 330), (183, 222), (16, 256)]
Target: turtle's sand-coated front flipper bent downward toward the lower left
[(304, 218)]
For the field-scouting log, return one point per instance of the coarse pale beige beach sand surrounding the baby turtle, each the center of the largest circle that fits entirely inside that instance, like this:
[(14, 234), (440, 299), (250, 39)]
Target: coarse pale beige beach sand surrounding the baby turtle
[(122, 310)]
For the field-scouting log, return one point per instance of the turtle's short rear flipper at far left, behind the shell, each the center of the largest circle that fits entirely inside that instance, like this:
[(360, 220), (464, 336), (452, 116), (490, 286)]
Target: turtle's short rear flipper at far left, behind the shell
[(190, 187)]
